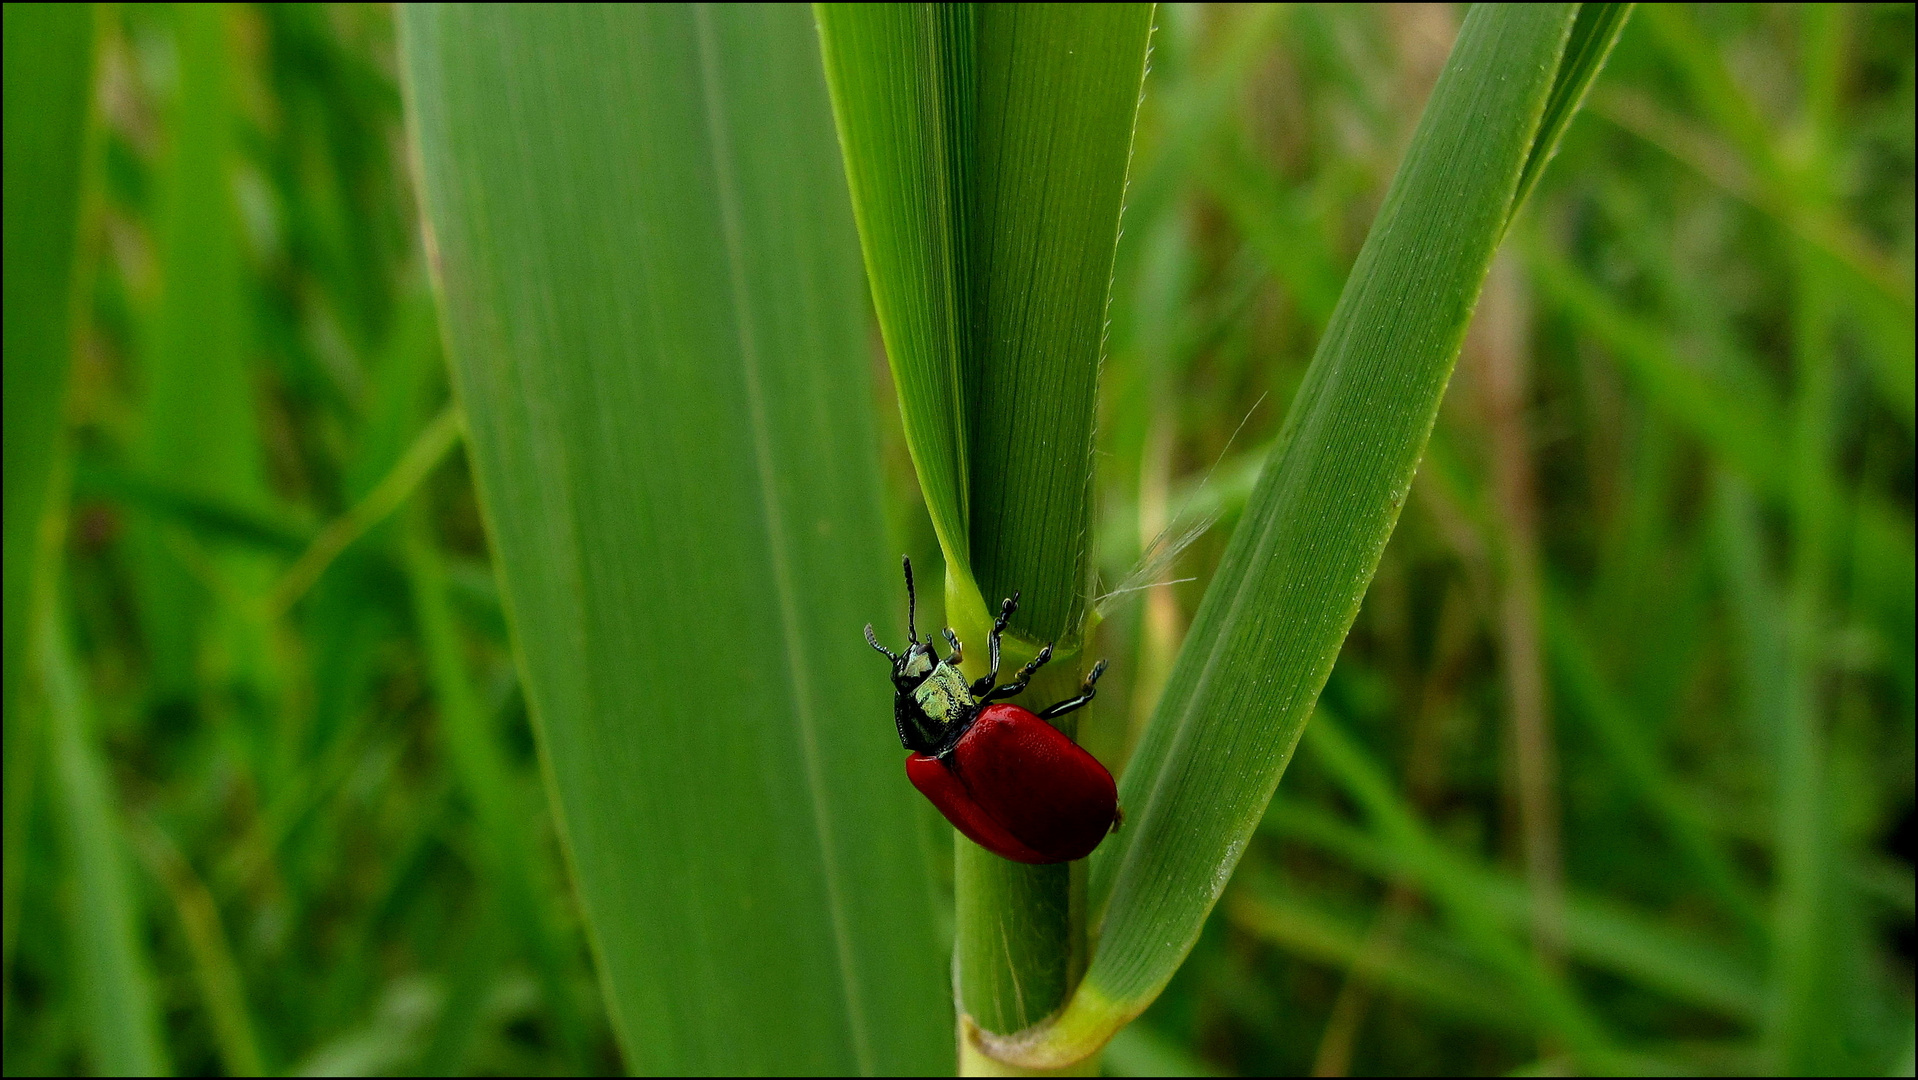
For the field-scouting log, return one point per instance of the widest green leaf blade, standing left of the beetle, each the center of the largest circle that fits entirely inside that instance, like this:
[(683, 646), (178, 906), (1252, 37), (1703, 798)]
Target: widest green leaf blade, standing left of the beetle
[(653, 312)]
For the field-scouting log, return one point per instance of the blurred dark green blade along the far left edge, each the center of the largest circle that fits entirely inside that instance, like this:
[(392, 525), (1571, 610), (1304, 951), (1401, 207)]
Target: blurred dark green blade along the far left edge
[(49, 80)]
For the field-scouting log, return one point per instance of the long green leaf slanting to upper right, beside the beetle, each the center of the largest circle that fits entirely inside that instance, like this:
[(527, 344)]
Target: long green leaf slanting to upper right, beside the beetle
[(1299, 563)]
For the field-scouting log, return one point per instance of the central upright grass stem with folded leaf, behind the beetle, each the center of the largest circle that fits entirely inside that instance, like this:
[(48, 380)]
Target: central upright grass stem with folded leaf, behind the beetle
[(989, 151)]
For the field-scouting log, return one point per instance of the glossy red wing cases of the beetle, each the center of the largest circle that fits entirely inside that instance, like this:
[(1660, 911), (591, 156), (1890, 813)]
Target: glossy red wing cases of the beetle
[(1021, 789)]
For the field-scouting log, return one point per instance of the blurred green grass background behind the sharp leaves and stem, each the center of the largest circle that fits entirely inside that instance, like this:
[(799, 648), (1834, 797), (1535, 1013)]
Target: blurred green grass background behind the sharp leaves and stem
[(1635, 676)]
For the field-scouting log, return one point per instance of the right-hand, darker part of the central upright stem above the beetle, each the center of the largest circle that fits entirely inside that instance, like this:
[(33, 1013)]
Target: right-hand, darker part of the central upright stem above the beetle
[(1060, 93)]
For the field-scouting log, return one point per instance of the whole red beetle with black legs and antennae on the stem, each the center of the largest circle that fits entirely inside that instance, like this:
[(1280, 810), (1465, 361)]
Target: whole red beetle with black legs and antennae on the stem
[(1004, 776)]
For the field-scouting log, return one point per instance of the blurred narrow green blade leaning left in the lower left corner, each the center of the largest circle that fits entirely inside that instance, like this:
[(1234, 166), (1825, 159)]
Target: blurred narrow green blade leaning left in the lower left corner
[(122, 1020)]
